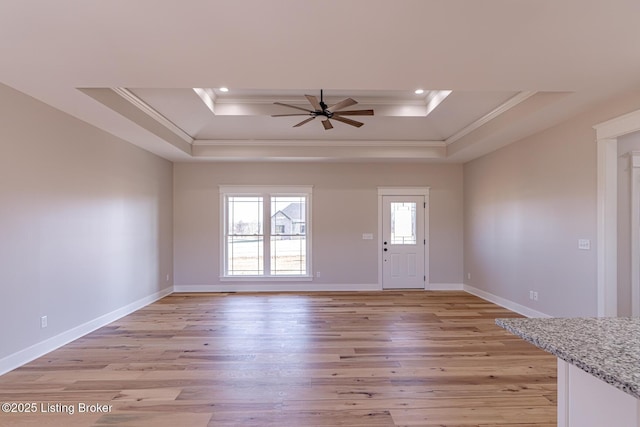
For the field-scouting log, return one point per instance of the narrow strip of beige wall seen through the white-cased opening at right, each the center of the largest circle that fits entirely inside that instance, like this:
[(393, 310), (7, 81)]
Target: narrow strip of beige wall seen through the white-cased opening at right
[(626, 144)]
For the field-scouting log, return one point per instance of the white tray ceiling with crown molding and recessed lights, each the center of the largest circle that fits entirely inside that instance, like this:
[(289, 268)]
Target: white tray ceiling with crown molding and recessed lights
[(128, 67)]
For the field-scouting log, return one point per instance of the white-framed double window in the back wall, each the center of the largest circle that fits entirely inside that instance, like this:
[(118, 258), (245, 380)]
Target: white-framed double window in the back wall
[(265, 232)]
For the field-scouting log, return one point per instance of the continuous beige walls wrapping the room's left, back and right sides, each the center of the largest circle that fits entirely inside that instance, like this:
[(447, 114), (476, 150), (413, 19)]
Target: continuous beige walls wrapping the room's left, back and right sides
[(90, 224)]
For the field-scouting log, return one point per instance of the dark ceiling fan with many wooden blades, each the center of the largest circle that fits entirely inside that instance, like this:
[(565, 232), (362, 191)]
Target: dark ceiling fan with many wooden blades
[(325, 112)]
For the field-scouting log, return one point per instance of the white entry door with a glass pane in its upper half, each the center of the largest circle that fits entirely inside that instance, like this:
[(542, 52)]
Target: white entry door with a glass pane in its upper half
[(403, 242)]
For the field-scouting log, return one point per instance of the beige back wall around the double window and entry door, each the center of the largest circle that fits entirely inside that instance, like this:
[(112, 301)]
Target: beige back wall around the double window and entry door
[(344, 207)]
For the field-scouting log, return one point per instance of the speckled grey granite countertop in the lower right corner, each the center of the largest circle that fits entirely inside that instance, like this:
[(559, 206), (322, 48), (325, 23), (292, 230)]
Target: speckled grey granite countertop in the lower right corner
[(607, 347)]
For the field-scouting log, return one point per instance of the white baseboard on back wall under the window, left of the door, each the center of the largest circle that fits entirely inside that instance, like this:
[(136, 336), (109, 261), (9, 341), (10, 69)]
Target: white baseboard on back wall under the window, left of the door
[(279, 287)]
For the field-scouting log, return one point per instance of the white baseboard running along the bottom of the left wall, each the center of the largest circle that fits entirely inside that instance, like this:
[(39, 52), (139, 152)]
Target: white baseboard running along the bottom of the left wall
[(22, 357)]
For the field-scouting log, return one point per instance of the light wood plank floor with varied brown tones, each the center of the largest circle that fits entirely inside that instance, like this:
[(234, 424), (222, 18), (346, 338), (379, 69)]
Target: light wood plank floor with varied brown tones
[(305, 359)]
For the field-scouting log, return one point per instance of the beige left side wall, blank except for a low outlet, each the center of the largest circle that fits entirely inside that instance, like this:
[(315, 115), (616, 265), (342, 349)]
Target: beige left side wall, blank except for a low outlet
[(85, 222)]
